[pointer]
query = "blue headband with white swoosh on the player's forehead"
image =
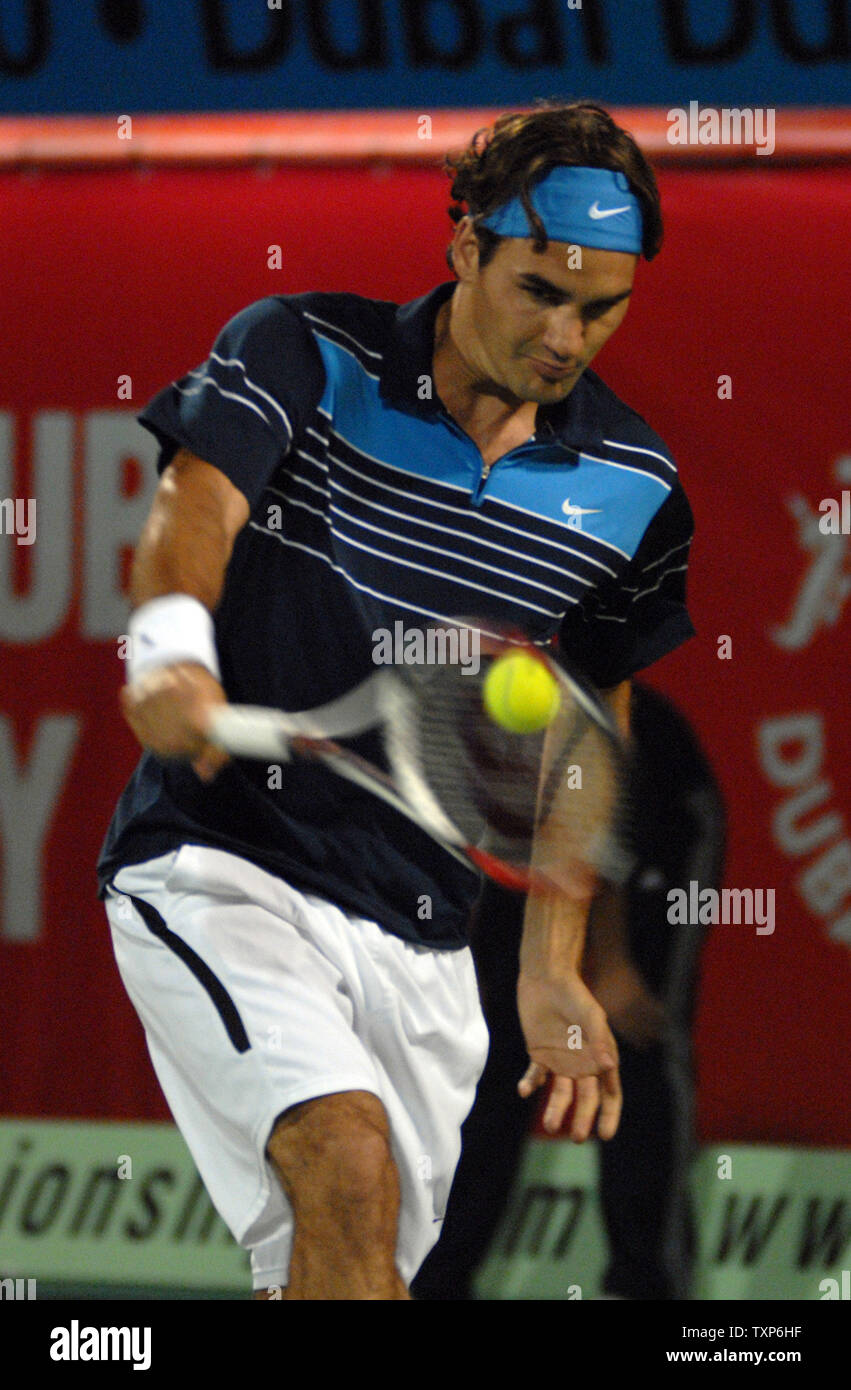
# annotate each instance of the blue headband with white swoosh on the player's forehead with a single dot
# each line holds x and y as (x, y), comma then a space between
(583, 206)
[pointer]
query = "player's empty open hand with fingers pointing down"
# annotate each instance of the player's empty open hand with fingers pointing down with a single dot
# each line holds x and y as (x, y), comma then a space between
(568, 1038)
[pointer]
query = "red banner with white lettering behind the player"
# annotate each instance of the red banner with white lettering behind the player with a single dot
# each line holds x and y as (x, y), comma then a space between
(116, 281)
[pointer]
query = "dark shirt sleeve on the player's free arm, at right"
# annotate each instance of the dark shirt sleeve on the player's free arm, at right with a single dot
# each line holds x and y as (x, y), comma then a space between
(632, 623)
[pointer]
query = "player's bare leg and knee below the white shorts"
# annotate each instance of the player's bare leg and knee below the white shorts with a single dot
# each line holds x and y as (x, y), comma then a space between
(334, 1160)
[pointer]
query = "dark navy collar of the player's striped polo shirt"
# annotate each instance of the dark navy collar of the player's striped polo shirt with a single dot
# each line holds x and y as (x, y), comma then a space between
(574, 423)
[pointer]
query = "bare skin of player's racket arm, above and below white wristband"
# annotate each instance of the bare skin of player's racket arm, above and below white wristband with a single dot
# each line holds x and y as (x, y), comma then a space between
(186, 548)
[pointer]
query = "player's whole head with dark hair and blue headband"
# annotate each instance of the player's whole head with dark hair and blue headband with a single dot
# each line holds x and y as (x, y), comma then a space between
(535, 309)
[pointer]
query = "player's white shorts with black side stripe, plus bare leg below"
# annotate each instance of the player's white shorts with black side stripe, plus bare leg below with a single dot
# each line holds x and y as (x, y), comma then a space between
(291, 1042)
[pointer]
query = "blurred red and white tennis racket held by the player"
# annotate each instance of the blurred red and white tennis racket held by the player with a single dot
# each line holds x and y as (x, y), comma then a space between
(536, 811)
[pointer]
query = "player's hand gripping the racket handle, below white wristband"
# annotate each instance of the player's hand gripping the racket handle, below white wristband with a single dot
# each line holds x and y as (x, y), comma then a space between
(169, 711)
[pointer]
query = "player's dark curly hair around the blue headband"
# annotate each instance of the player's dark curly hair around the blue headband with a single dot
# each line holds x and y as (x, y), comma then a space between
(510, 158)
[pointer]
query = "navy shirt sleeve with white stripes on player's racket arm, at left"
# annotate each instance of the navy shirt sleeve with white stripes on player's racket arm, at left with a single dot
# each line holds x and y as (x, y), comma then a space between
(244, 407)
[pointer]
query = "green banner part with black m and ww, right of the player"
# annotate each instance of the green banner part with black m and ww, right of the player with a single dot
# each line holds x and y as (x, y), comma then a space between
(772, 1224)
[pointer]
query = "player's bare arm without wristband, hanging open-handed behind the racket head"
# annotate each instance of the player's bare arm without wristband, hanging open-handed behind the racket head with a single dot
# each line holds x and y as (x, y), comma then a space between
(565, 1028)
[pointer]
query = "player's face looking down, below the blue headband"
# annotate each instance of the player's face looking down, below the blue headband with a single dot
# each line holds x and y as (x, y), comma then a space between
(535, 320)
